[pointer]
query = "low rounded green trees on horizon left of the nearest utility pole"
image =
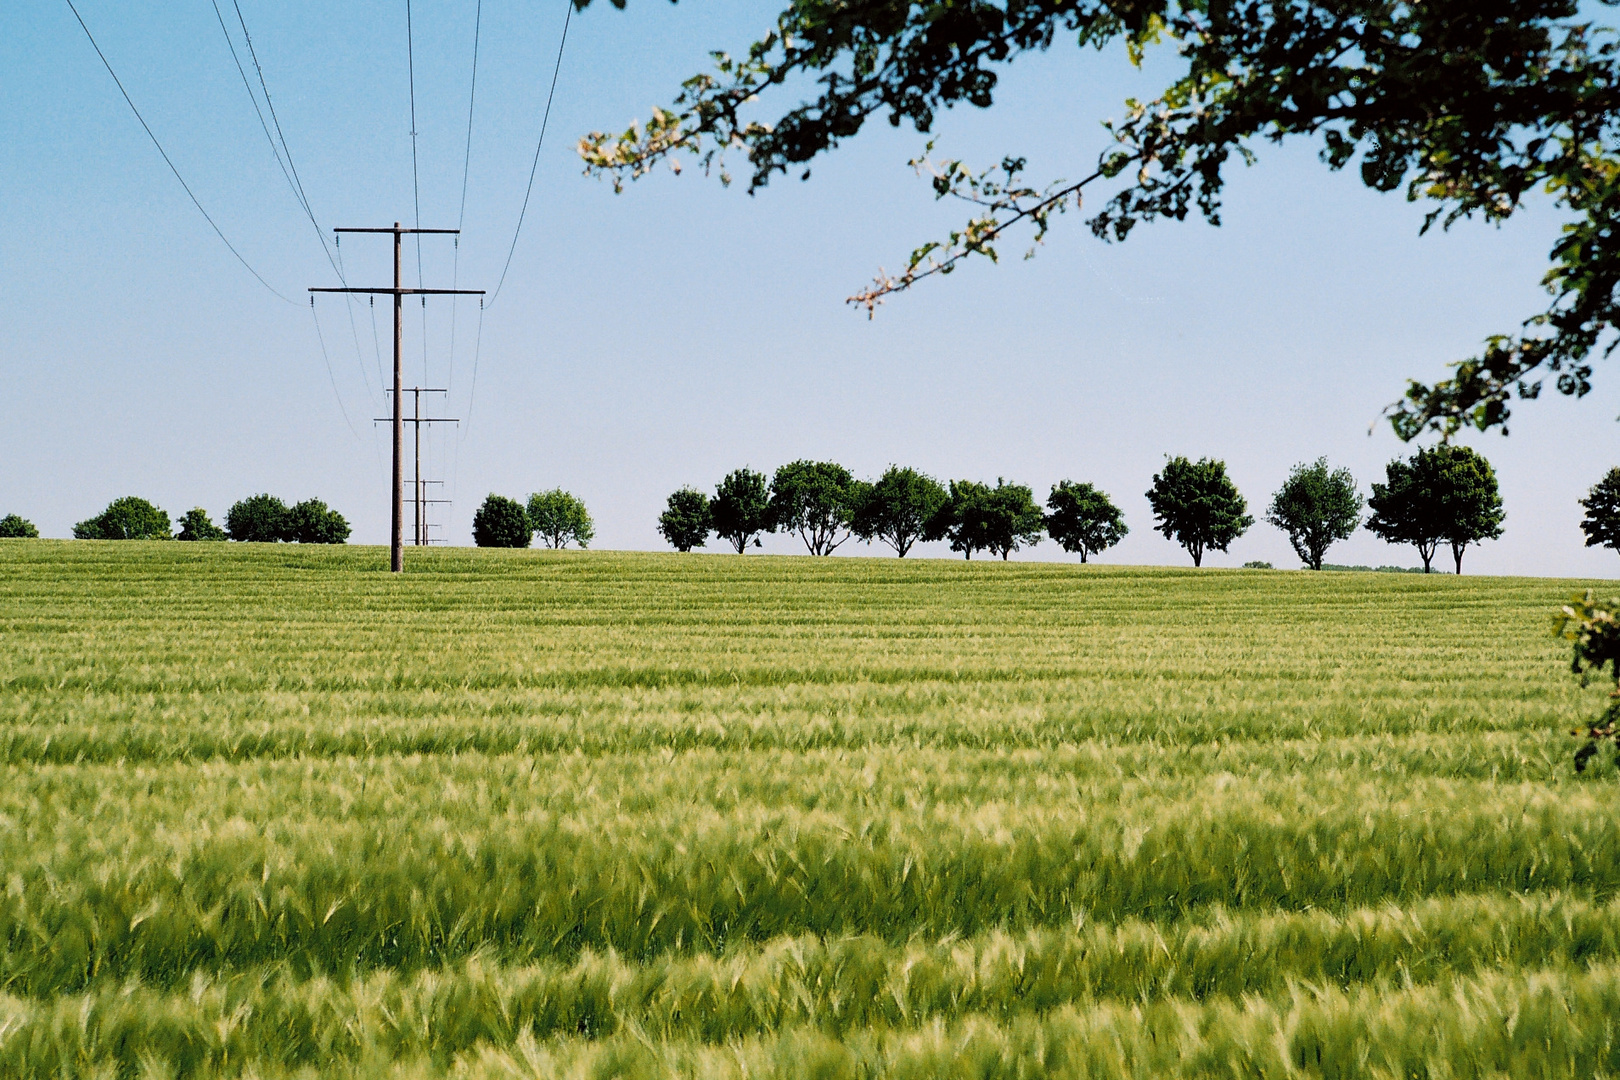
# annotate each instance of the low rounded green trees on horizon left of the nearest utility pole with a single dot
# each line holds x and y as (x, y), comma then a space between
(257, 519)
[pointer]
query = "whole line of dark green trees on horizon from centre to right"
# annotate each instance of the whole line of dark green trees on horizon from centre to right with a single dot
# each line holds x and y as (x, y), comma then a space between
(1443, 496)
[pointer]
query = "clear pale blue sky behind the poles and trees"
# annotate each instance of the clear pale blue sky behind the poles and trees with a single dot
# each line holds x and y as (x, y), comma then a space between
(678, 331)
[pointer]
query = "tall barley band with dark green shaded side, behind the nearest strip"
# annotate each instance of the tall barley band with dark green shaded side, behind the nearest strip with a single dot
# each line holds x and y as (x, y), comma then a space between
(87, 903)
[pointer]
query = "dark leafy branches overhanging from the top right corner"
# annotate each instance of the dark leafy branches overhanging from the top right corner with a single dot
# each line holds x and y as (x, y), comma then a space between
(1460, 104)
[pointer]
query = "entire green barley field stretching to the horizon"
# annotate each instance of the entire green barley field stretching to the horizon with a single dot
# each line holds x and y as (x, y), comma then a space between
(271, 812)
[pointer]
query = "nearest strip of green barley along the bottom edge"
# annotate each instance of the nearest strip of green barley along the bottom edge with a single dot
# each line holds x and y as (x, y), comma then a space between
(605, 1019)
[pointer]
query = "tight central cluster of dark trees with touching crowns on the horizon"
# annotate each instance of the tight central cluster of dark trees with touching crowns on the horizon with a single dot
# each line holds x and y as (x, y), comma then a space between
(825, 506)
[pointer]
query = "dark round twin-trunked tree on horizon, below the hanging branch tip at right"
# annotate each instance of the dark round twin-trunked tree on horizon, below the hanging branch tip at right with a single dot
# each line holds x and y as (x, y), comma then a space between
(1444, 495)
